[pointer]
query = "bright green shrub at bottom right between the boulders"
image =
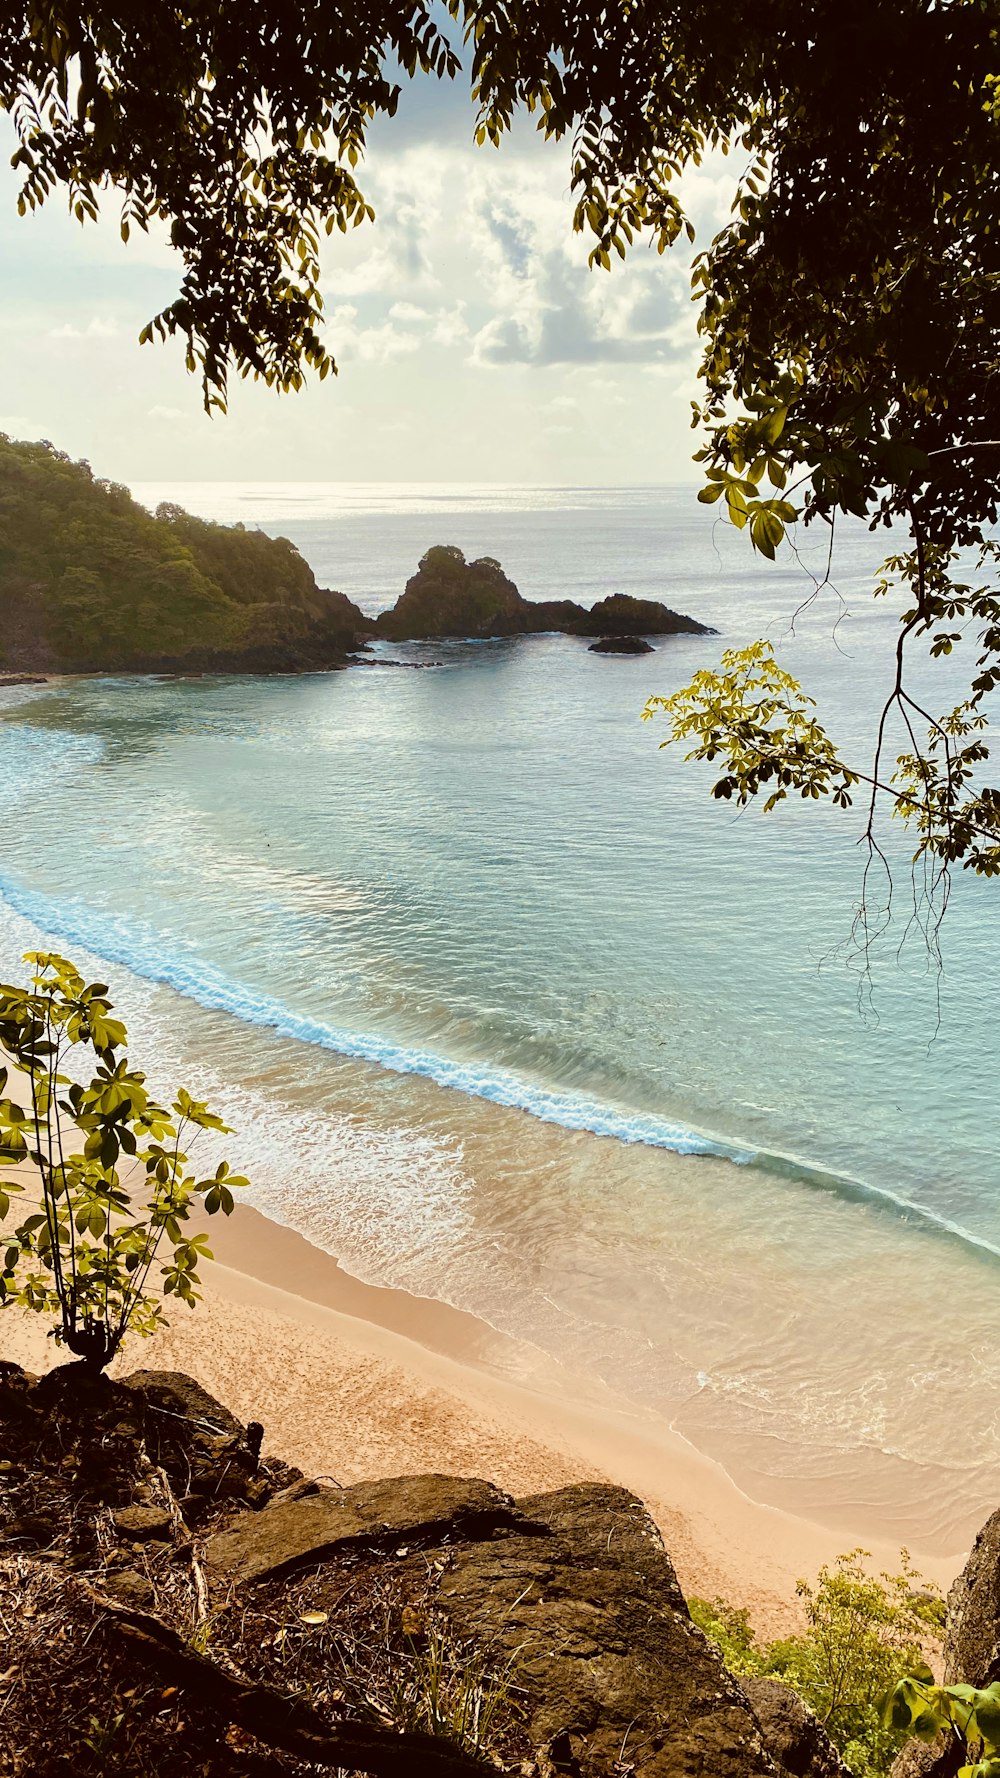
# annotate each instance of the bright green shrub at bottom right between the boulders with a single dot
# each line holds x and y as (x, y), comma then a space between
(864, 1635)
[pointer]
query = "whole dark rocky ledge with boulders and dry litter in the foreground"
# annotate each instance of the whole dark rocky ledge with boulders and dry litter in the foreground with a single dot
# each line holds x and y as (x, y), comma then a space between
(234, 1615)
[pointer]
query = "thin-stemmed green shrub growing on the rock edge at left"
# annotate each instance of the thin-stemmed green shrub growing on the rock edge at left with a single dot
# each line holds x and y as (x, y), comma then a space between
(108, 1174)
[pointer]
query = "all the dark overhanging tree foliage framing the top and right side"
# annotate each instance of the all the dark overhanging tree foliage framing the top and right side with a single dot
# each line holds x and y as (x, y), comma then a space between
(850, 312)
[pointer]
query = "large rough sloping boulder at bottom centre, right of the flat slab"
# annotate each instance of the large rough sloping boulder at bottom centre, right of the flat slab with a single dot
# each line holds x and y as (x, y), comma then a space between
(615, 1674)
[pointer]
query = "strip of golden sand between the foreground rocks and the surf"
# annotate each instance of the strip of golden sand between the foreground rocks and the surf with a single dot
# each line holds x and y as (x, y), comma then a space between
(355, 1382)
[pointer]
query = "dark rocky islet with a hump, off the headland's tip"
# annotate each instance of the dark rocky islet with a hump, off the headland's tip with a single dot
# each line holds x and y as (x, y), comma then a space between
(474, 600)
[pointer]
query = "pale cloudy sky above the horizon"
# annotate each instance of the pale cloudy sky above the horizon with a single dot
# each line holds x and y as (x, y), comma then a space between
(472, 340)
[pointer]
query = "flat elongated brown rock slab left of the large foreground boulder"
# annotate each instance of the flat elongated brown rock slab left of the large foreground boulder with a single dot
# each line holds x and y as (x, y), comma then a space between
(310, 1525)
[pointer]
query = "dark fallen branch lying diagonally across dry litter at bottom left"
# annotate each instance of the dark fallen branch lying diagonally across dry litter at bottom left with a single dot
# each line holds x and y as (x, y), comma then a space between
(278, 1720)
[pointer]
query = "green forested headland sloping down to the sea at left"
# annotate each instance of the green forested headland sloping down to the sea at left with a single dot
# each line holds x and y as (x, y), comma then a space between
(92, 581)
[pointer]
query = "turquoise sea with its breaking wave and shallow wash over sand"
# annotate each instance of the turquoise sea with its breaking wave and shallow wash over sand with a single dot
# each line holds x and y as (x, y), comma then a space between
(520, 1018)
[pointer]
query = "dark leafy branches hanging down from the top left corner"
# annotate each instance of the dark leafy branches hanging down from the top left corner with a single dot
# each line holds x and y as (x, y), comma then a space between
(238, 125)
